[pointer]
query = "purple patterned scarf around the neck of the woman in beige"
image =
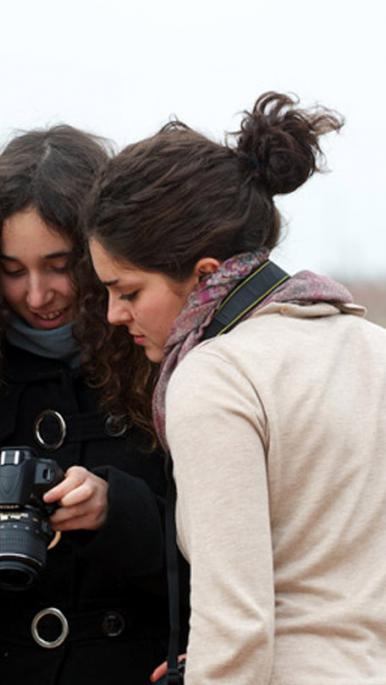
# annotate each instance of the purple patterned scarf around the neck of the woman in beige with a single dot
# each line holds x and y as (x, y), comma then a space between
(303, 288)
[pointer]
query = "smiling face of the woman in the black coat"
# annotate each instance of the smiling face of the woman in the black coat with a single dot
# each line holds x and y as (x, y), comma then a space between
(34, 276)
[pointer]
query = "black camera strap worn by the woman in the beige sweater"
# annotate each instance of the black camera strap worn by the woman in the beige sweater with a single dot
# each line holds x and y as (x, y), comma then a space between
(252, 291)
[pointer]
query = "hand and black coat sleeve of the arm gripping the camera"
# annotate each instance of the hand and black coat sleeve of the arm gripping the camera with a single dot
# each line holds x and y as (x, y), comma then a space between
(108, 510)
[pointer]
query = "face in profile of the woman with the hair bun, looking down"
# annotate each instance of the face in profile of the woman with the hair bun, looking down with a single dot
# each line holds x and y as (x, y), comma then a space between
(146, 302)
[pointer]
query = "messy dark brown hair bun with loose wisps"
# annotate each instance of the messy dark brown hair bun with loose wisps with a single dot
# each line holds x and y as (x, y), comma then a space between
(278, 143)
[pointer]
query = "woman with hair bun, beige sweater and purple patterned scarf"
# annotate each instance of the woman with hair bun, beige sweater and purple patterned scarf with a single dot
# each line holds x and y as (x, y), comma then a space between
(273, 414)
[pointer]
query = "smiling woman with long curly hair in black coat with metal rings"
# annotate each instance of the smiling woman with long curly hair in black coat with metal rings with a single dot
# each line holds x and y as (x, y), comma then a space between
(98, 608)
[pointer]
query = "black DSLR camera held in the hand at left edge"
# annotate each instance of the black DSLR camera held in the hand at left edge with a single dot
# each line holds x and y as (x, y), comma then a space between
(25, 531)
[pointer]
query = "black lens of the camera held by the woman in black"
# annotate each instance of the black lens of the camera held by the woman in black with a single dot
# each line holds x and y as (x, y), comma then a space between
(23, 547)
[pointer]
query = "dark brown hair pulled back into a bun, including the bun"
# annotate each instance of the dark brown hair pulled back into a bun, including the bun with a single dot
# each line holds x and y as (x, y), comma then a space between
(167, 201)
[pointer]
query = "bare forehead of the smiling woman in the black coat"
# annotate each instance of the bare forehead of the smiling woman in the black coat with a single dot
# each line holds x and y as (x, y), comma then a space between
(25, 234)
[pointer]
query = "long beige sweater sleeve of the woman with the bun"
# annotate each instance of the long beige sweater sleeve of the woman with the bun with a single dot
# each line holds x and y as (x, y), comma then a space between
(217, 433)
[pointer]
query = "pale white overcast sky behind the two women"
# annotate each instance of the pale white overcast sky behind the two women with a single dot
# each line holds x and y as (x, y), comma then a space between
(120, 68)
